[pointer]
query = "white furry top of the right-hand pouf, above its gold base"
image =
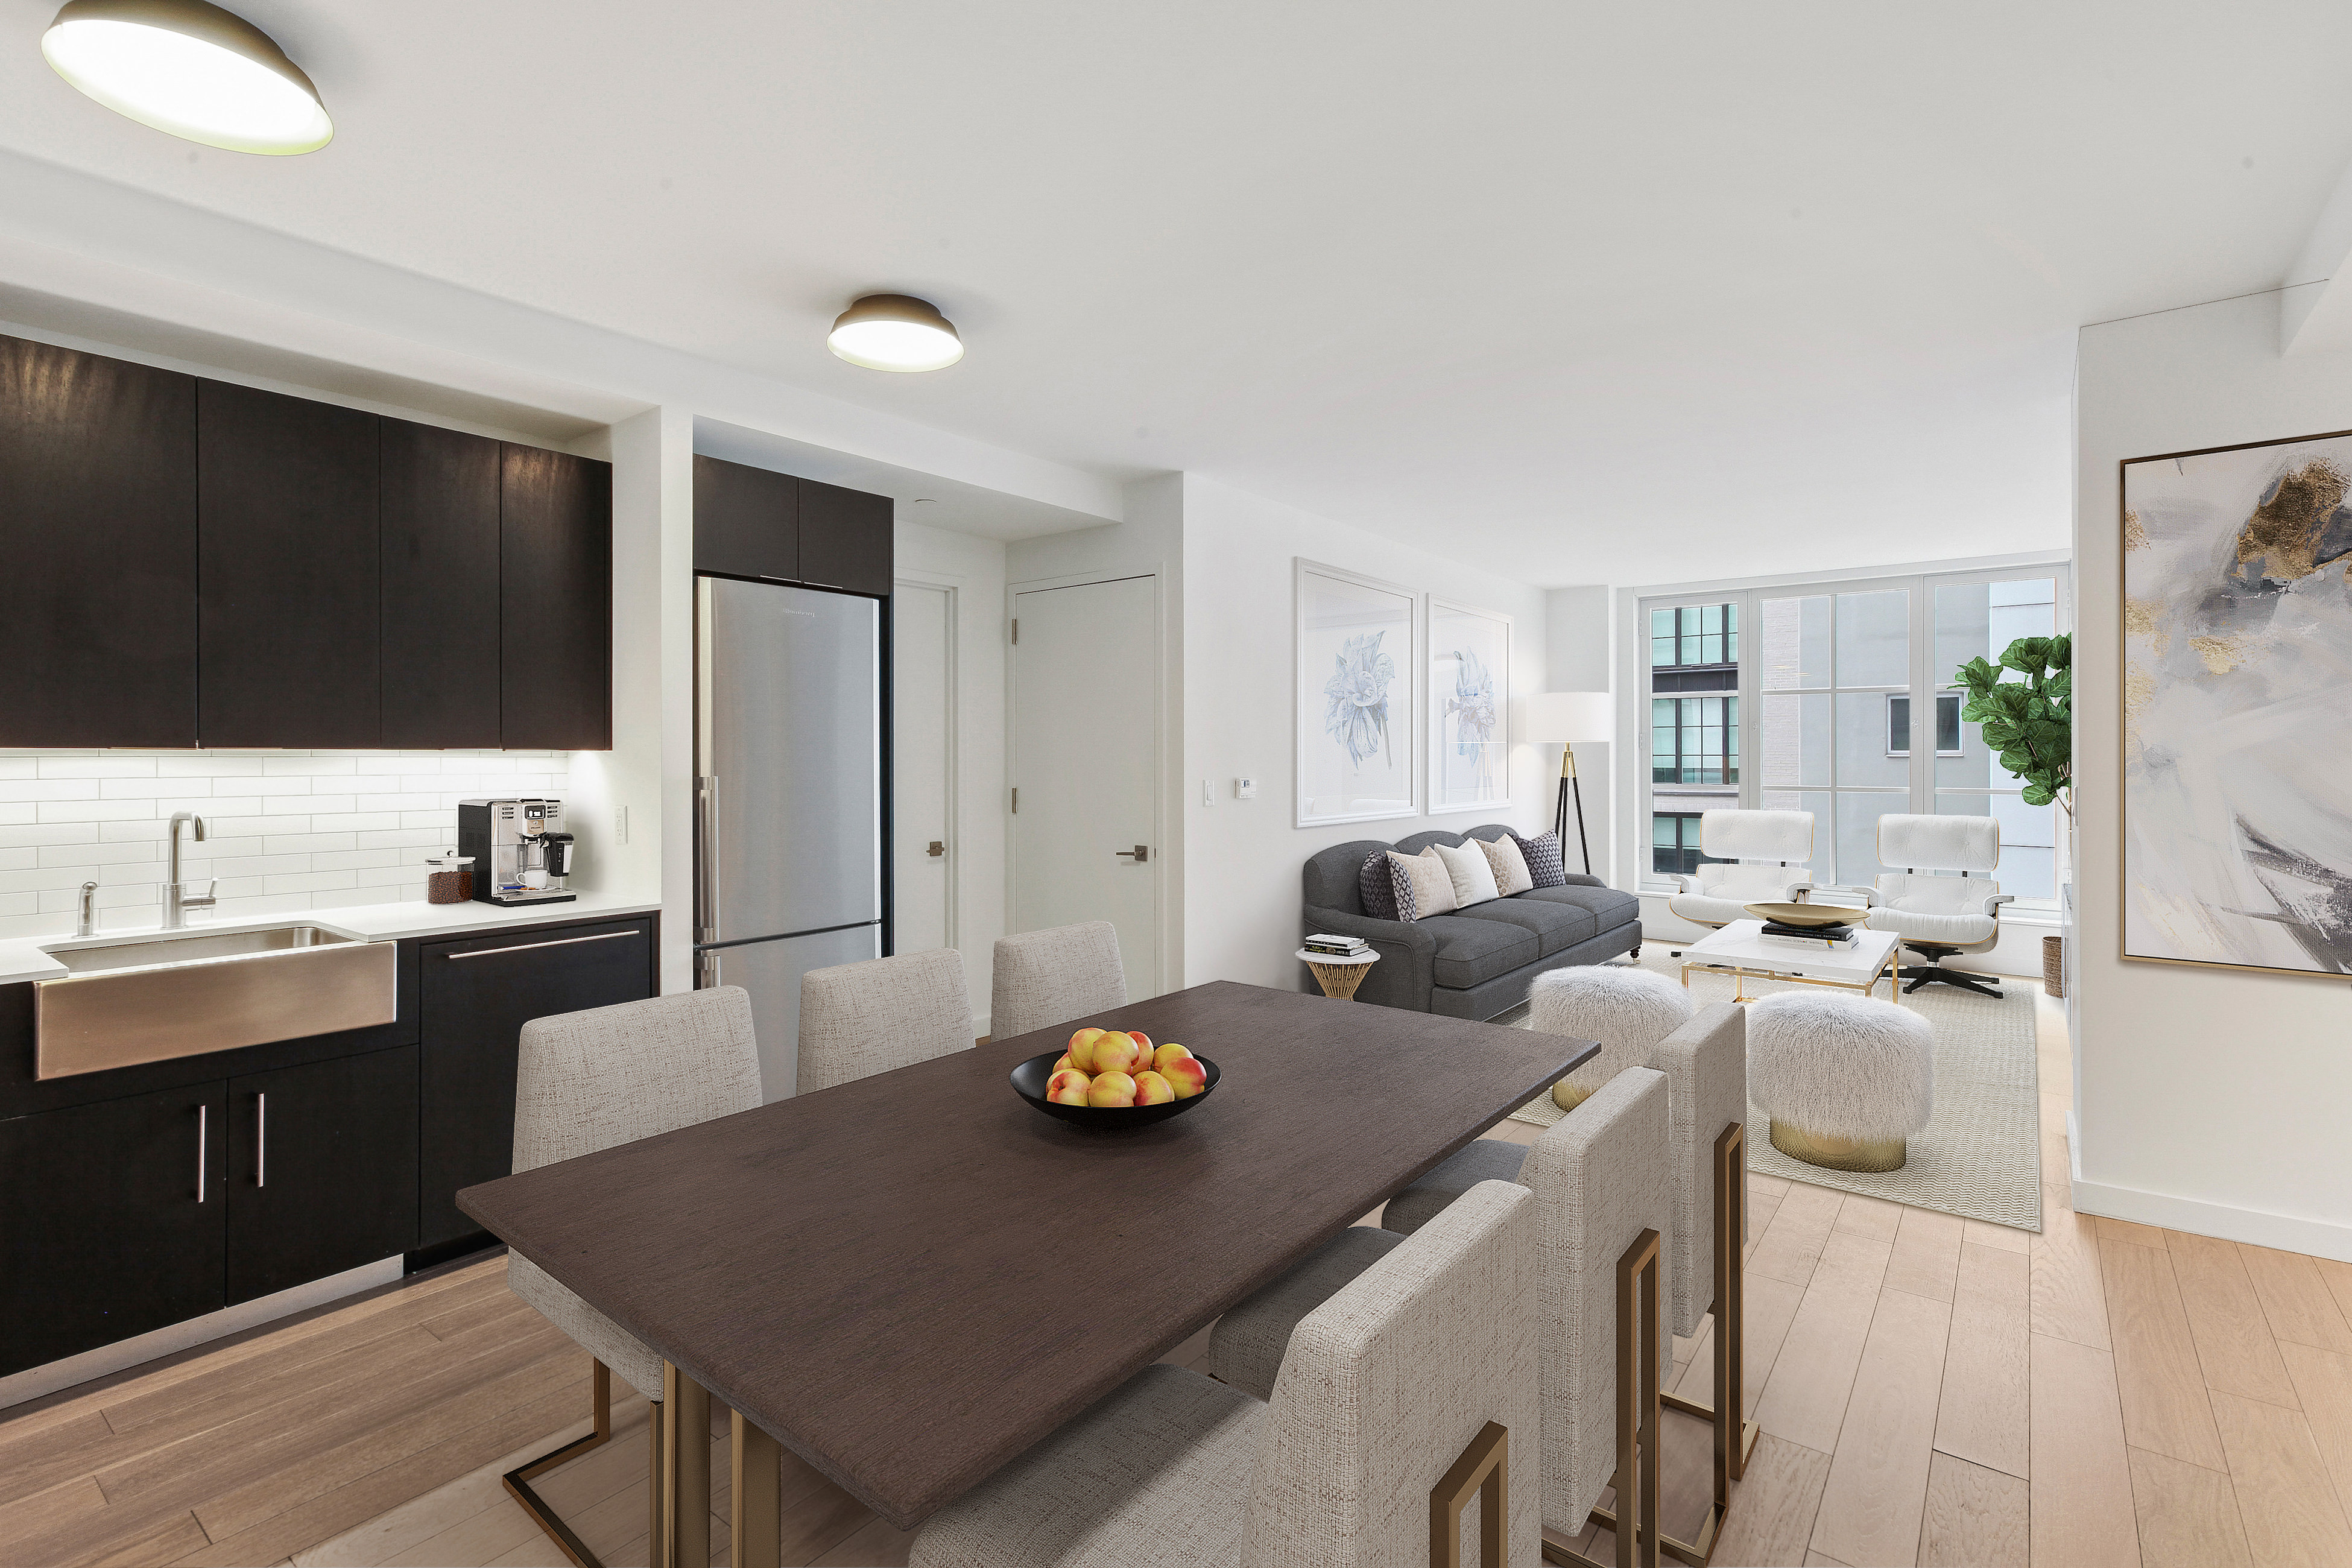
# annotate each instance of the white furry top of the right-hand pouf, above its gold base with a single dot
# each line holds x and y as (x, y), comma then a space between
(1843, 1066)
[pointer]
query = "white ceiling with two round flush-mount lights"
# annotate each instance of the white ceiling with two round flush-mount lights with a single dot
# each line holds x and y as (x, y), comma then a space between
(1615, 293)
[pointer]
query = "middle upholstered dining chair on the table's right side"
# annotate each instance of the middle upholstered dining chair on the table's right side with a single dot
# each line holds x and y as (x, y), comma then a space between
(1603, 1200)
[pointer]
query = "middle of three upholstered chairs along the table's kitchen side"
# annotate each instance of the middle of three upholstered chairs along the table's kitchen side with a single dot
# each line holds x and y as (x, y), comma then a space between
(864, 1019)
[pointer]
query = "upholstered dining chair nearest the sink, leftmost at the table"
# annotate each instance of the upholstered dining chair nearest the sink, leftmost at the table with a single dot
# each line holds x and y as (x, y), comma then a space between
(589, 1083)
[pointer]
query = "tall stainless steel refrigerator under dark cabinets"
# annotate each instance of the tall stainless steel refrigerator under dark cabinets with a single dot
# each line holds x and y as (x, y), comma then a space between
(789, 798)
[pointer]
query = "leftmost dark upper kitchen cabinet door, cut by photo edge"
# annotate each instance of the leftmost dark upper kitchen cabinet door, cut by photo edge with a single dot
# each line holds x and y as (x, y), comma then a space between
(98, 507)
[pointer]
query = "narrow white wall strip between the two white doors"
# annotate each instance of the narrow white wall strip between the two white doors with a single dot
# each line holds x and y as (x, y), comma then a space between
(975, 570)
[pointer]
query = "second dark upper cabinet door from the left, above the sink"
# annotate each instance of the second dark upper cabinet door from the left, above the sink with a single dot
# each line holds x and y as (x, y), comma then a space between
(288, 549)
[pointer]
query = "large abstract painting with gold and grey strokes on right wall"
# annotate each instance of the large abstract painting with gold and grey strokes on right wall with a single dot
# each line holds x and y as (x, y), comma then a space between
(2238, 678)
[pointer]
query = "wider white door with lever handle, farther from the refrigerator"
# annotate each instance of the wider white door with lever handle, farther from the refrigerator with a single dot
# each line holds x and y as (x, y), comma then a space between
(1088, 765)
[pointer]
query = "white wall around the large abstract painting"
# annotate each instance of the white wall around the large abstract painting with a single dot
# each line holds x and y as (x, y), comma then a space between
(2207, 1099)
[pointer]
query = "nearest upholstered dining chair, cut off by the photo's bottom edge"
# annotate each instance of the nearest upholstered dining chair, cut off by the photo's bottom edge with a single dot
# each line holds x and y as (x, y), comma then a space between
(1401, 1393)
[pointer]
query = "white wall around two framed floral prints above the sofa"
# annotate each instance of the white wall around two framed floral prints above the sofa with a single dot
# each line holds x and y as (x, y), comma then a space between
(1245, 857)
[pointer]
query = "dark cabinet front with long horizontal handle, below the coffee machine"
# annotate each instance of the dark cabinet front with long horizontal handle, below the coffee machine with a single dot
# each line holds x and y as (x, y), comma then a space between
(479, 993)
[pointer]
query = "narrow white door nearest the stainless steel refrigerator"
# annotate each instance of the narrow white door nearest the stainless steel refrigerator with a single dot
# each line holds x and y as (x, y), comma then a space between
(923, 765)
